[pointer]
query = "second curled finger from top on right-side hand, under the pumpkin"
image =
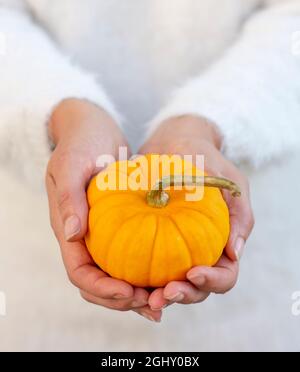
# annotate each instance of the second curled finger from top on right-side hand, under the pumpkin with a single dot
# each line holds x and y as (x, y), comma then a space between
(184, 293)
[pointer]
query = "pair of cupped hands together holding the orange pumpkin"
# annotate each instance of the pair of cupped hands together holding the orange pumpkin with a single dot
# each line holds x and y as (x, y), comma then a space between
(82, 132)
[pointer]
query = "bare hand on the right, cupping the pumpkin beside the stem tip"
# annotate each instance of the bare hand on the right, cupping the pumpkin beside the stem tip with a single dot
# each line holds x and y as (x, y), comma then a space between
(189, 135)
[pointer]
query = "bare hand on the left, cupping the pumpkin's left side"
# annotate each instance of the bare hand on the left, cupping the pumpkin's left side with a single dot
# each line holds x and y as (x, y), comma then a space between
(81, 133)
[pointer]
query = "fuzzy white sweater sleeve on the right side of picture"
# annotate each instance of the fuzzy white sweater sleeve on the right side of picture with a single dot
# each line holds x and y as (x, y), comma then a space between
(248, 92)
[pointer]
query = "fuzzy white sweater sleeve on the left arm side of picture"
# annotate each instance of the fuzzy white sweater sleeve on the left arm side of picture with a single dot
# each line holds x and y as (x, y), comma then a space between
(35, 77)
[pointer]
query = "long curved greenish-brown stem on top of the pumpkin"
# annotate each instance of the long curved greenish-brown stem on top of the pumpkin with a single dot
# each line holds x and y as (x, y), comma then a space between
(159, 198)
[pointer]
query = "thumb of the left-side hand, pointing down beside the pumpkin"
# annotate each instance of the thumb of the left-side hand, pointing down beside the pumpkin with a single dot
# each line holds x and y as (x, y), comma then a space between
(70, 177)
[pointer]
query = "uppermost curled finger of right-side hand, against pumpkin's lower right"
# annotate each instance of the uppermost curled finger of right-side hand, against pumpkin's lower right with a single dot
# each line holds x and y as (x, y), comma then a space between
(219, 279)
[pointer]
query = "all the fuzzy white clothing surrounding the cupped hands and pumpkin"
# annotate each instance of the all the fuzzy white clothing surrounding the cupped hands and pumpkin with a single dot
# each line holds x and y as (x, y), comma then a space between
(140, 51)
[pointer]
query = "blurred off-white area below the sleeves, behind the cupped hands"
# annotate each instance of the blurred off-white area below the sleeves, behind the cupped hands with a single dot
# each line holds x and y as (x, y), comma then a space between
(45, 313)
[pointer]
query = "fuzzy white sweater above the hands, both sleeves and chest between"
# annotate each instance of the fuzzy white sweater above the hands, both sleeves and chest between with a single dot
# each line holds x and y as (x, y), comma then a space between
(234, 62)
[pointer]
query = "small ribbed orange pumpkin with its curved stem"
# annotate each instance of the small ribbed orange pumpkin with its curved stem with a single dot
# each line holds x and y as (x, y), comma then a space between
(151, 235)
